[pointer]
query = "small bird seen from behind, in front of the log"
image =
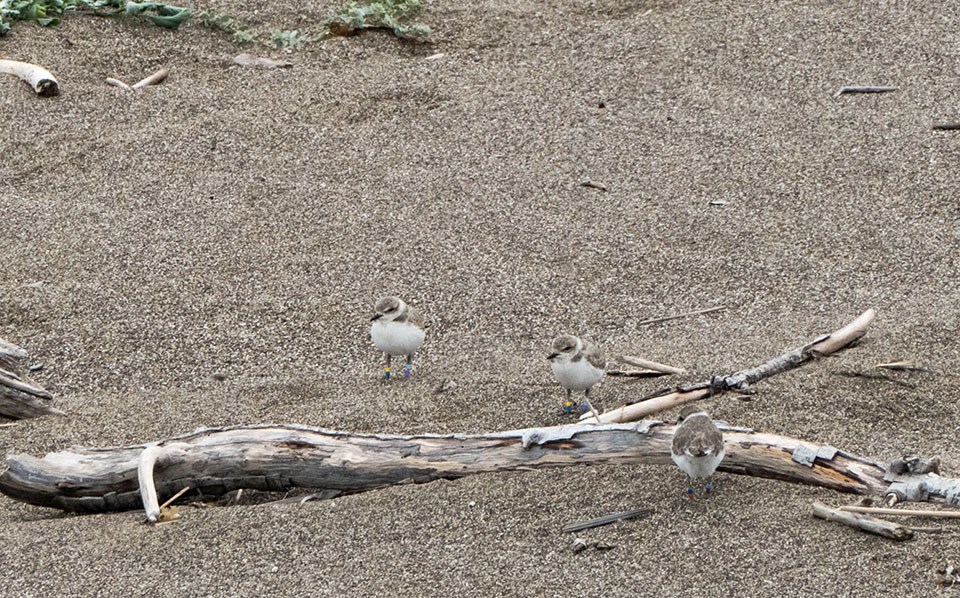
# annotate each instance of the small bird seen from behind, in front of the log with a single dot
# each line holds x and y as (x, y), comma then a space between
(697, 446)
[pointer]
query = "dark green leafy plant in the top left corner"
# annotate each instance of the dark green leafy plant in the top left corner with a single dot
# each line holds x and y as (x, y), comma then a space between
(49, 12)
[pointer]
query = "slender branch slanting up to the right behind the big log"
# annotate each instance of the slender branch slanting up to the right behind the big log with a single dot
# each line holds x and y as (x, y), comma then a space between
(740, 381)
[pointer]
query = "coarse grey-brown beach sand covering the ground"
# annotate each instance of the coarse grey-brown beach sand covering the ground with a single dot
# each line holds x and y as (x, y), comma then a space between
(240, 223)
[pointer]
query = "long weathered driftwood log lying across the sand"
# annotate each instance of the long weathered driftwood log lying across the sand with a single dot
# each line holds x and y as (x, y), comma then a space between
(279, 458)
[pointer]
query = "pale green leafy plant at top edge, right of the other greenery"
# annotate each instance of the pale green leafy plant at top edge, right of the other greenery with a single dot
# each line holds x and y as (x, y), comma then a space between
(394, 15)
